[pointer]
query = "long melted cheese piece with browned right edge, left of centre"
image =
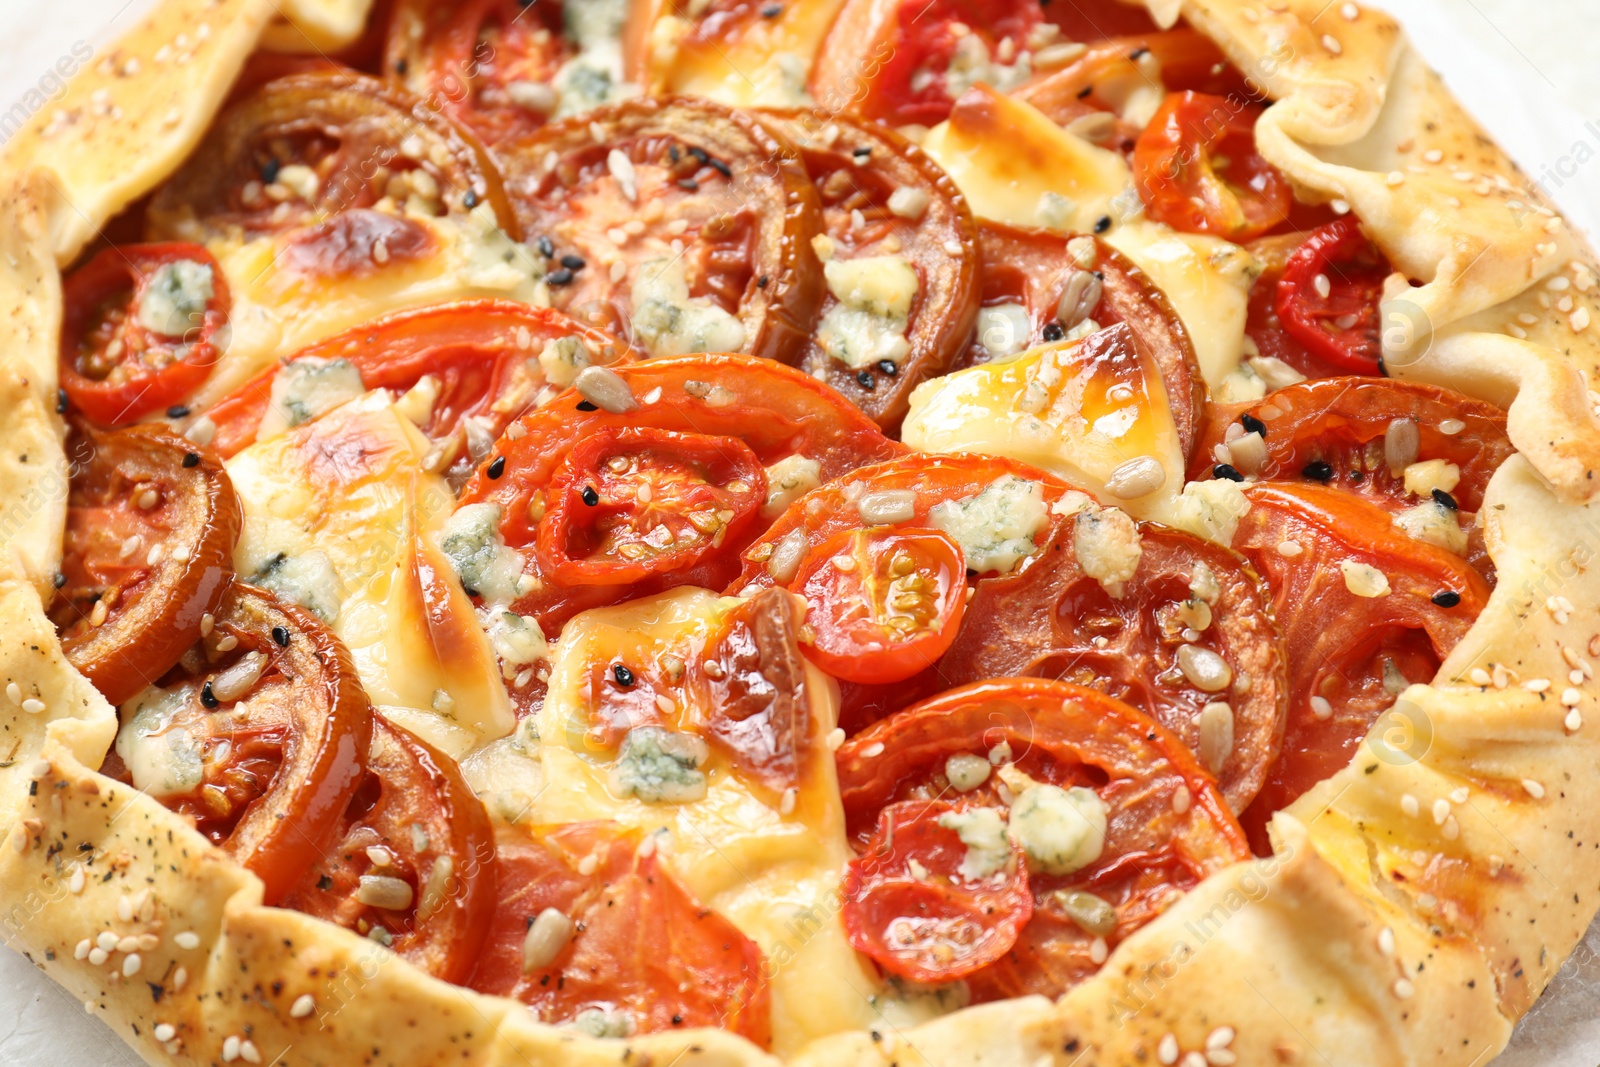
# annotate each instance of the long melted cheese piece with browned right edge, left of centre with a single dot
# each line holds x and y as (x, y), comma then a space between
(342, 514)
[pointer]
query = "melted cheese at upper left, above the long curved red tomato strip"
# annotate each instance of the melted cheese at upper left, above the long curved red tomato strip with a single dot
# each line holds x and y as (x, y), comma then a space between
(279, 311)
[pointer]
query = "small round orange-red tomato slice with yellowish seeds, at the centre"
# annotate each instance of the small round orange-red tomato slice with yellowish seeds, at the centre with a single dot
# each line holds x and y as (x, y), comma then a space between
(884, 602)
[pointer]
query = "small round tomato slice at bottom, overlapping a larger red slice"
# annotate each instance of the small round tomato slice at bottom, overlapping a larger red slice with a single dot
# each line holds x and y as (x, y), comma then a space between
(916, 905)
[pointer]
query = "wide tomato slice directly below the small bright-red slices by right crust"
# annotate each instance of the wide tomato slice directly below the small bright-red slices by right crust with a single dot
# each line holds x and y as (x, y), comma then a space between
(1362, 434)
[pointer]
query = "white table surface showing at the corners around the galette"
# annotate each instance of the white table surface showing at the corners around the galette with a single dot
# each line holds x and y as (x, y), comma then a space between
(1529, 70)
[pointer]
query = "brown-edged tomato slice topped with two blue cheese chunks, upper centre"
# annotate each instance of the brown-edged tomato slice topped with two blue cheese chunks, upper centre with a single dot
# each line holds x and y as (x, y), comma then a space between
(900, 306)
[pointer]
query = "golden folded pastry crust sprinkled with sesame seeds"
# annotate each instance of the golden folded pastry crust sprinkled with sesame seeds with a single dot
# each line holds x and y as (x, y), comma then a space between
(1420, 900)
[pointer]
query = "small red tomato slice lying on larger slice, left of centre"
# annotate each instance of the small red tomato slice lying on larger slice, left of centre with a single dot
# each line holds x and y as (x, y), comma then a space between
(628, 505)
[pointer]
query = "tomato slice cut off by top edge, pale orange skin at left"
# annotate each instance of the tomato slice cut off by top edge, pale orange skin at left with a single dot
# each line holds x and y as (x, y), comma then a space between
(906, 62)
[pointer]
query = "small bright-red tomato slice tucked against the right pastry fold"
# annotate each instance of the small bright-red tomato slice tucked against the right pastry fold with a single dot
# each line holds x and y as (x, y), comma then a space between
(1329, 298)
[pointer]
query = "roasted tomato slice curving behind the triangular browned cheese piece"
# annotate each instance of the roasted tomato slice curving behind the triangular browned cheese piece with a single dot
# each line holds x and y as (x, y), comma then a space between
(1039, 286)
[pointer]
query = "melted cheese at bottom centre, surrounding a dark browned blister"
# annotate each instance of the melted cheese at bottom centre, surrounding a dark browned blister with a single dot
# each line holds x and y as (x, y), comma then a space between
(774, 876)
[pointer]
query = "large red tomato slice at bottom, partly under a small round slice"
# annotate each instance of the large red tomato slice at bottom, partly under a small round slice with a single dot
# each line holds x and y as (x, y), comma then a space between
(1065, 737)
